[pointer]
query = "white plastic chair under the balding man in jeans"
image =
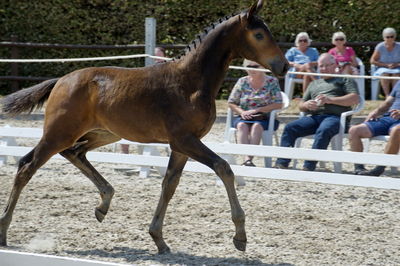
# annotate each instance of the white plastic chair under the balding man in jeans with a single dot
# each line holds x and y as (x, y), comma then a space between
(337, 140)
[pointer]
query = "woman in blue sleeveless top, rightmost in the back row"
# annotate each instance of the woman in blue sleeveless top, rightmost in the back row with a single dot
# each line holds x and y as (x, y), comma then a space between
(386, 57)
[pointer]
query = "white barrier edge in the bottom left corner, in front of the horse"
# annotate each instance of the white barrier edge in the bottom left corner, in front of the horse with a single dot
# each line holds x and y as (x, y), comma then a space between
(15, 258)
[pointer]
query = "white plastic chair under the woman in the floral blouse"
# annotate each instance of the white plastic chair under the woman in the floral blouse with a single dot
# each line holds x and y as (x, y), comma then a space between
(267, 136)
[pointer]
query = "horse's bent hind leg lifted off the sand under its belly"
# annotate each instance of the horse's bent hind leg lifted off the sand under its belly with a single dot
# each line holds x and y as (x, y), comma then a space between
(77, 156)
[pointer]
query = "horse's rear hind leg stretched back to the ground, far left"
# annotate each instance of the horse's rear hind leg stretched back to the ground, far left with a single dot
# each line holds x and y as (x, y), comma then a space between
(26, 169)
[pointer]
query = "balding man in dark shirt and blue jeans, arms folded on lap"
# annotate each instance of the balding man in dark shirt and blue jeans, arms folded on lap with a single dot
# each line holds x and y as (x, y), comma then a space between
(324, 101)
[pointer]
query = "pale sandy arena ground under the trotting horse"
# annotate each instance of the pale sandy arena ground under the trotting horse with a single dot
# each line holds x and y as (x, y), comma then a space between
(288, 223)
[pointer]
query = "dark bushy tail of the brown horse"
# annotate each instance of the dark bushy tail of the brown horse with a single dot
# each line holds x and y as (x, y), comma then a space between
(26, 100)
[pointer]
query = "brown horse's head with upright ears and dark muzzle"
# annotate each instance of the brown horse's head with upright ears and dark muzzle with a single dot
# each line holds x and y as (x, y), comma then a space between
(257, 43)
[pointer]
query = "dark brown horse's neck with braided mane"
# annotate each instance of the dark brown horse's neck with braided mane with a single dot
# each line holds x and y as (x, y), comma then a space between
(210, 61)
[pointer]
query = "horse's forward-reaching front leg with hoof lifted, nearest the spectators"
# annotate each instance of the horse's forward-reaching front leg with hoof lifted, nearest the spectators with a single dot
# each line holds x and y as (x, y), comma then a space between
(195, 149)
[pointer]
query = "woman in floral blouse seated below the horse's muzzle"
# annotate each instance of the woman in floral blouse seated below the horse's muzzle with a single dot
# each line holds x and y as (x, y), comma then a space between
(252, 98)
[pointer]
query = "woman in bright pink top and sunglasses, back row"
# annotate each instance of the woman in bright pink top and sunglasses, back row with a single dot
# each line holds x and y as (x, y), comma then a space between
(344, 55)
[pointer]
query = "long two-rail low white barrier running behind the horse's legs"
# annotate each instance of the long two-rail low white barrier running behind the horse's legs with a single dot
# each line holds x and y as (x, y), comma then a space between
(228, 149)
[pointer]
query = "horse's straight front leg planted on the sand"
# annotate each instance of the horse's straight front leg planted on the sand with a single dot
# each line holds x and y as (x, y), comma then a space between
(171, 180)
